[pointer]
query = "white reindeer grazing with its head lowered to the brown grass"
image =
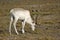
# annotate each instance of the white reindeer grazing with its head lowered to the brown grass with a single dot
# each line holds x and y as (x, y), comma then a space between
(23, 15)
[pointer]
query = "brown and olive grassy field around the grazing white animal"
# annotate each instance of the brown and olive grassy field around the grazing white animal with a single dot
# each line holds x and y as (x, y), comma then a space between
(45, 13)
